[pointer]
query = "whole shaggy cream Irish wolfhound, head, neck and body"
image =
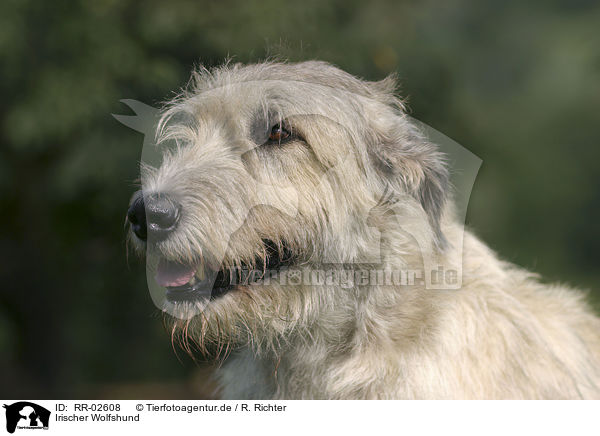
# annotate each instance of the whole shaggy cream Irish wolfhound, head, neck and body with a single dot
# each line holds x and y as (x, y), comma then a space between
(278, 174)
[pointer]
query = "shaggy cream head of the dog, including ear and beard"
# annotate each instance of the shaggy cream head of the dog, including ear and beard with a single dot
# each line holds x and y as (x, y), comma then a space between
(275, 166)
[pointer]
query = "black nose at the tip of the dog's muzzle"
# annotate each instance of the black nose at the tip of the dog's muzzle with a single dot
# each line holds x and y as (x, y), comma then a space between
(154, 216)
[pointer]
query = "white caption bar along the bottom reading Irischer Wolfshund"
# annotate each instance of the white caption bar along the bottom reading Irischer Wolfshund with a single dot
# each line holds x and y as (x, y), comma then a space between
(153, 417)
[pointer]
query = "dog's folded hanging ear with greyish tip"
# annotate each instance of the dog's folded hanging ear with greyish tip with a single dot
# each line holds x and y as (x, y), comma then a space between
(411, 164)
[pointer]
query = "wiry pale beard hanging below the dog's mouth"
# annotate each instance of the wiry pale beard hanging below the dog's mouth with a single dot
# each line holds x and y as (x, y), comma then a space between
(261, 318)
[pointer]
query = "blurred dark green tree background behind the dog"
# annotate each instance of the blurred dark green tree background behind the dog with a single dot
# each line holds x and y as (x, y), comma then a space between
(517, 83)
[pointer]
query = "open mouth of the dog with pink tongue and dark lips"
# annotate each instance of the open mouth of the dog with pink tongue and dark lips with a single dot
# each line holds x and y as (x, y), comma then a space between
(190, 282)
